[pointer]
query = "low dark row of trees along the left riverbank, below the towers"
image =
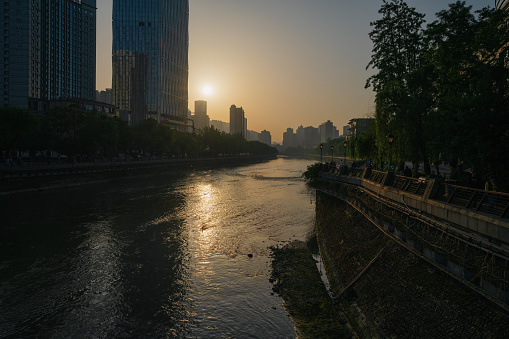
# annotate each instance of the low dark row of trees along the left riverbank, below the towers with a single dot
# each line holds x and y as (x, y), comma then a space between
(87, 135)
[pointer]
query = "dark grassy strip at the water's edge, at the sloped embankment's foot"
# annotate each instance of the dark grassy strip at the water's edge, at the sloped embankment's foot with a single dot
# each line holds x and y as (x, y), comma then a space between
(298, 282)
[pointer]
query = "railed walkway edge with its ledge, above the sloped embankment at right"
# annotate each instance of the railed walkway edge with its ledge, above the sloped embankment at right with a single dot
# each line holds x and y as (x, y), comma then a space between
(462, 231)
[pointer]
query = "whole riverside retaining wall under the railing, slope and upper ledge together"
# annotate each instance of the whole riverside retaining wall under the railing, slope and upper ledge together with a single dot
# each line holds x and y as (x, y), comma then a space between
(397, 272)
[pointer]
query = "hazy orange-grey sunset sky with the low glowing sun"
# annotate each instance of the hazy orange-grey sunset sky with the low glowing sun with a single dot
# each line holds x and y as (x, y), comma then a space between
(286, 62)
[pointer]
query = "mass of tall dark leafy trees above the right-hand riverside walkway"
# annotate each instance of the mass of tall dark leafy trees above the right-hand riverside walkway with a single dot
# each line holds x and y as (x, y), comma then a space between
(442, 89)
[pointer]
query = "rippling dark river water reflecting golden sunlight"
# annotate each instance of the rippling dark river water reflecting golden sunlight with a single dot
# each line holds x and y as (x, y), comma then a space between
(176, 255)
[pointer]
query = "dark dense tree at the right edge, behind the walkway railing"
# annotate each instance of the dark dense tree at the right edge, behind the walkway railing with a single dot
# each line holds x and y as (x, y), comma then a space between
(470, 84)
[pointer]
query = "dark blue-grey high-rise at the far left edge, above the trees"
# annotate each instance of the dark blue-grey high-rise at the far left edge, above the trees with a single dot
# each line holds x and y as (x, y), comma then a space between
(47, 51)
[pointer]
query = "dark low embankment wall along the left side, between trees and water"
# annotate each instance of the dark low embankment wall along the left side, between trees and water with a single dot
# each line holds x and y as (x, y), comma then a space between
(25, 179)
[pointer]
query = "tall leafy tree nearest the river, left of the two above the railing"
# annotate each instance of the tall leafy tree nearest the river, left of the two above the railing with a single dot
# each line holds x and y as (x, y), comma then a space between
(401, 108)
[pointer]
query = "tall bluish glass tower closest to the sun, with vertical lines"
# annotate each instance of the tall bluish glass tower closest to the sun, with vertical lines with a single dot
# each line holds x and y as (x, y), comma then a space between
(150, 60)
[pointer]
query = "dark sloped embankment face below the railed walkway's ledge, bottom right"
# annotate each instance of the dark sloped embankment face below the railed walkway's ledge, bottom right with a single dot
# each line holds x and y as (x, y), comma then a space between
(385, 290)
